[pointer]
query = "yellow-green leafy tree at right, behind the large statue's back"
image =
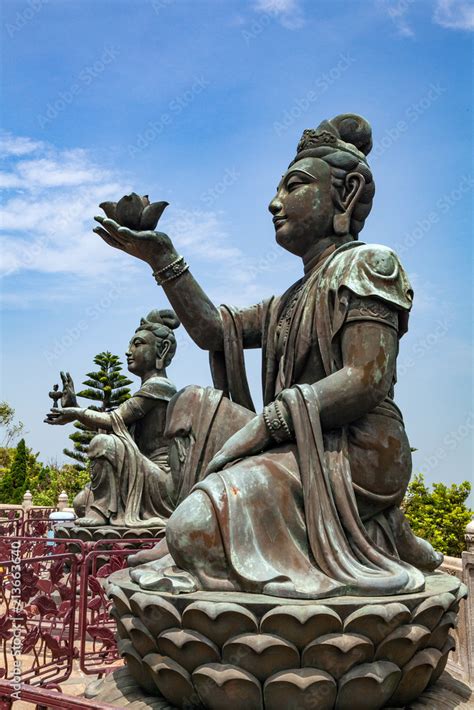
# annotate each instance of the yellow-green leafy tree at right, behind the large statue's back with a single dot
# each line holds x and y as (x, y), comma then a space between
(439, 515)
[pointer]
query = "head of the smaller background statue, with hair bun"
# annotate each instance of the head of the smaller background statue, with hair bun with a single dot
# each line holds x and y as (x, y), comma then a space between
(154, 344)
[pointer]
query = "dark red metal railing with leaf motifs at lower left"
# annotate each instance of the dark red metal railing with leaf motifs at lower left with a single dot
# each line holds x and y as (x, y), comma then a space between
(60, 614)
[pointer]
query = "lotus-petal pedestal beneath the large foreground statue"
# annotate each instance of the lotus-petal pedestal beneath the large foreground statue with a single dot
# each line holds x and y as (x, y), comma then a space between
(230, 651)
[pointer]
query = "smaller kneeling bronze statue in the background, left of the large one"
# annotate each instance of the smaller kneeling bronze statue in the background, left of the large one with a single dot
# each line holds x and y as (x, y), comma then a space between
(131, 482)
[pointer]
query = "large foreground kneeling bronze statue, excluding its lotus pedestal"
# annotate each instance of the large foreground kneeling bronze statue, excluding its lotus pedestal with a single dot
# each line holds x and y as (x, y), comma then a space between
(302, 500)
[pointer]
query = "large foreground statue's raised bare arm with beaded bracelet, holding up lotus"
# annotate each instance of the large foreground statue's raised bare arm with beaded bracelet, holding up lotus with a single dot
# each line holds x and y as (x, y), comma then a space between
(193, 307)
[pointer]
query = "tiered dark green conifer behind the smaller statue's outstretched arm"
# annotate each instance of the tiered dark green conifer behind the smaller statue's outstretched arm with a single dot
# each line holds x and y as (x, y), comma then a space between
(107, 387)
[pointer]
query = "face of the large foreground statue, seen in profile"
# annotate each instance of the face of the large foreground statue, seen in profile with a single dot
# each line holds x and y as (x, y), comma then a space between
(303, 209)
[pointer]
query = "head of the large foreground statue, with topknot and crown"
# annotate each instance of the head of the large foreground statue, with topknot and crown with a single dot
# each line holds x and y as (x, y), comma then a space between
(328, 188)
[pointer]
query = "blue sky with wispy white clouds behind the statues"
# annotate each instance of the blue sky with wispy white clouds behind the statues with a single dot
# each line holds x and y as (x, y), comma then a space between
(202, 103)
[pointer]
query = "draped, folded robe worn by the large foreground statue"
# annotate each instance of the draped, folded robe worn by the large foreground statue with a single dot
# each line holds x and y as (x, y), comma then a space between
(308, 519)
